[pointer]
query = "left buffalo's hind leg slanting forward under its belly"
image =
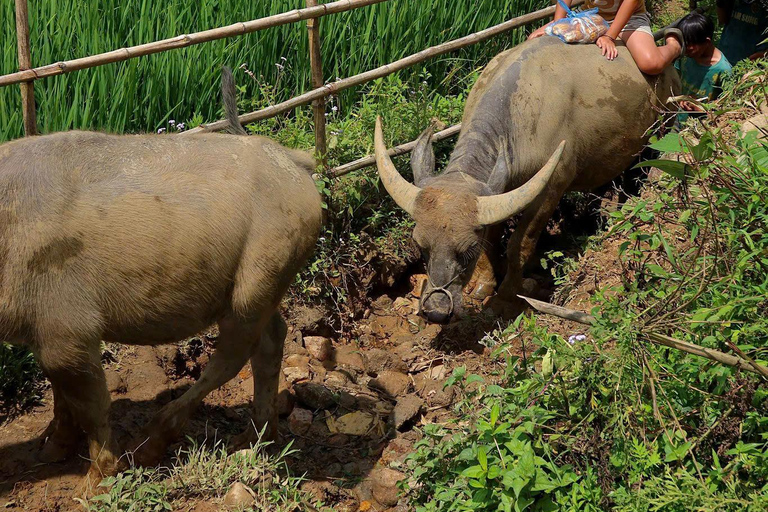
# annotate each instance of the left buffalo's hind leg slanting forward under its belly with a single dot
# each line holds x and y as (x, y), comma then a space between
(237, 338)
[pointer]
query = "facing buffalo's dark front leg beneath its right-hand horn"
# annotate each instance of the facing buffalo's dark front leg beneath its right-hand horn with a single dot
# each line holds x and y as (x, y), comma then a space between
(522, 247)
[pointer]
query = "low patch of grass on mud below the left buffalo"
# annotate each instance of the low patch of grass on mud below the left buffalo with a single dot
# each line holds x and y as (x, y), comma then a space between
(204, 473)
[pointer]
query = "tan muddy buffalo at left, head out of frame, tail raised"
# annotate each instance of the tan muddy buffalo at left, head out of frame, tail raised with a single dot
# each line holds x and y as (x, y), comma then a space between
(148, 239)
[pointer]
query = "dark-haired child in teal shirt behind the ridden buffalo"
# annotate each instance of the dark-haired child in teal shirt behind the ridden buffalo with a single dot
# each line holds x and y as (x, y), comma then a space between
(704, 66)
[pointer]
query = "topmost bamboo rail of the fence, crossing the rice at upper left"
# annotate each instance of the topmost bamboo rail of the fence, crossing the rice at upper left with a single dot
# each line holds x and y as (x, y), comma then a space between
(185, 40)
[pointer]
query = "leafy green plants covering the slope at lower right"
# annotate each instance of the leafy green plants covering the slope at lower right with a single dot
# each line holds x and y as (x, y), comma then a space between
(609, 420)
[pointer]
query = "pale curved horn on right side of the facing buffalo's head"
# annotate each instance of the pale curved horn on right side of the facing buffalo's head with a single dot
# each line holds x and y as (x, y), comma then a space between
(498, 208)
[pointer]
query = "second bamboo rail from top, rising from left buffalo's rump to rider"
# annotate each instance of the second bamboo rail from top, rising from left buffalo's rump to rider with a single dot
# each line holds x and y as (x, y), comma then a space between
(382, 71)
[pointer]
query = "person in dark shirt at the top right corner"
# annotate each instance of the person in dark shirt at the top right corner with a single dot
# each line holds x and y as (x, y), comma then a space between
(744, 25)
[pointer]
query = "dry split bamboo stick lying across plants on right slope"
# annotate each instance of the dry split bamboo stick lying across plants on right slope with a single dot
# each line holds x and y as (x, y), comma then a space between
(659, 339)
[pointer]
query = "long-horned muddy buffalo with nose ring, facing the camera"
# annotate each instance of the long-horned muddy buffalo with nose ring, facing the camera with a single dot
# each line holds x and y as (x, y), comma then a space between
(527, 101)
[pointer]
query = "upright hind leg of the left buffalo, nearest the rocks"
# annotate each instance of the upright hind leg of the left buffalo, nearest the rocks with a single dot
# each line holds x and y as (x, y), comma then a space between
(266, 362)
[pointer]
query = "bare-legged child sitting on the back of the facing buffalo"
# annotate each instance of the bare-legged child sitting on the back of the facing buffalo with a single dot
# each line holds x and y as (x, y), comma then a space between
(629, 21)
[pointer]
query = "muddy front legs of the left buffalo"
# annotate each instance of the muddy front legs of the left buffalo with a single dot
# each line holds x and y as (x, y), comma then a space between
(79, 381)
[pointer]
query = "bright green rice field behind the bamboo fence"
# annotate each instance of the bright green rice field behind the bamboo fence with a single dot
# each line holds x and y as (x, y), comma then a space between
(144, 94)
